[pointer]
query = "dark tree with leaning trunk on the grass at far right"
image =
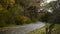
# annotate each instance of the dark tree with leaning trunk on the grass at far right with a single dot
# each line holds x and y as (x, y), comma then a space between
(54, 16)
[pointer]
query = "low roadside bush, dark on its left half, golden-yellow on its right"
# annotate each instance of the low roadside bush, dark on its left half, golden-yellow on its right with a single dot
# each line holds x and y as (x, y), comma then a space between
(22, 20)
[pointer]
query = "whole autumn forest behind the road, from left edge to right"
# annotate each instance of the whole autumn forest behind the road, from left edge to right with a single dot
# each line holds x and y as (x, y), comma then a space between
(18, 12)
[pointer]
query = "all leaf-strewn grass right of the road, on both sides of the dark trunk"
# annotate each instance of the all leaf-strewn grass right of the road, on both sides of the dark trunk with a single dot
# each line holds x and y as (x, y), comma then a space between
(55, 30)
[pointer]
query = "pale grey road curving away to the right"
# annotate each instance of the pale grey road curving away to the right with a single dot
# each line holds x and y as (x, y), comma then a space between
(24, 28)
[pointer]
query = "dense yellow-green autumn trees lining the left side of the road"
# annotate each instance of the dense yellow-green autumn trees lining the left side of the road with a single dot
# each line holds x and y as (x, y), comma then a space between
(17, 12)
